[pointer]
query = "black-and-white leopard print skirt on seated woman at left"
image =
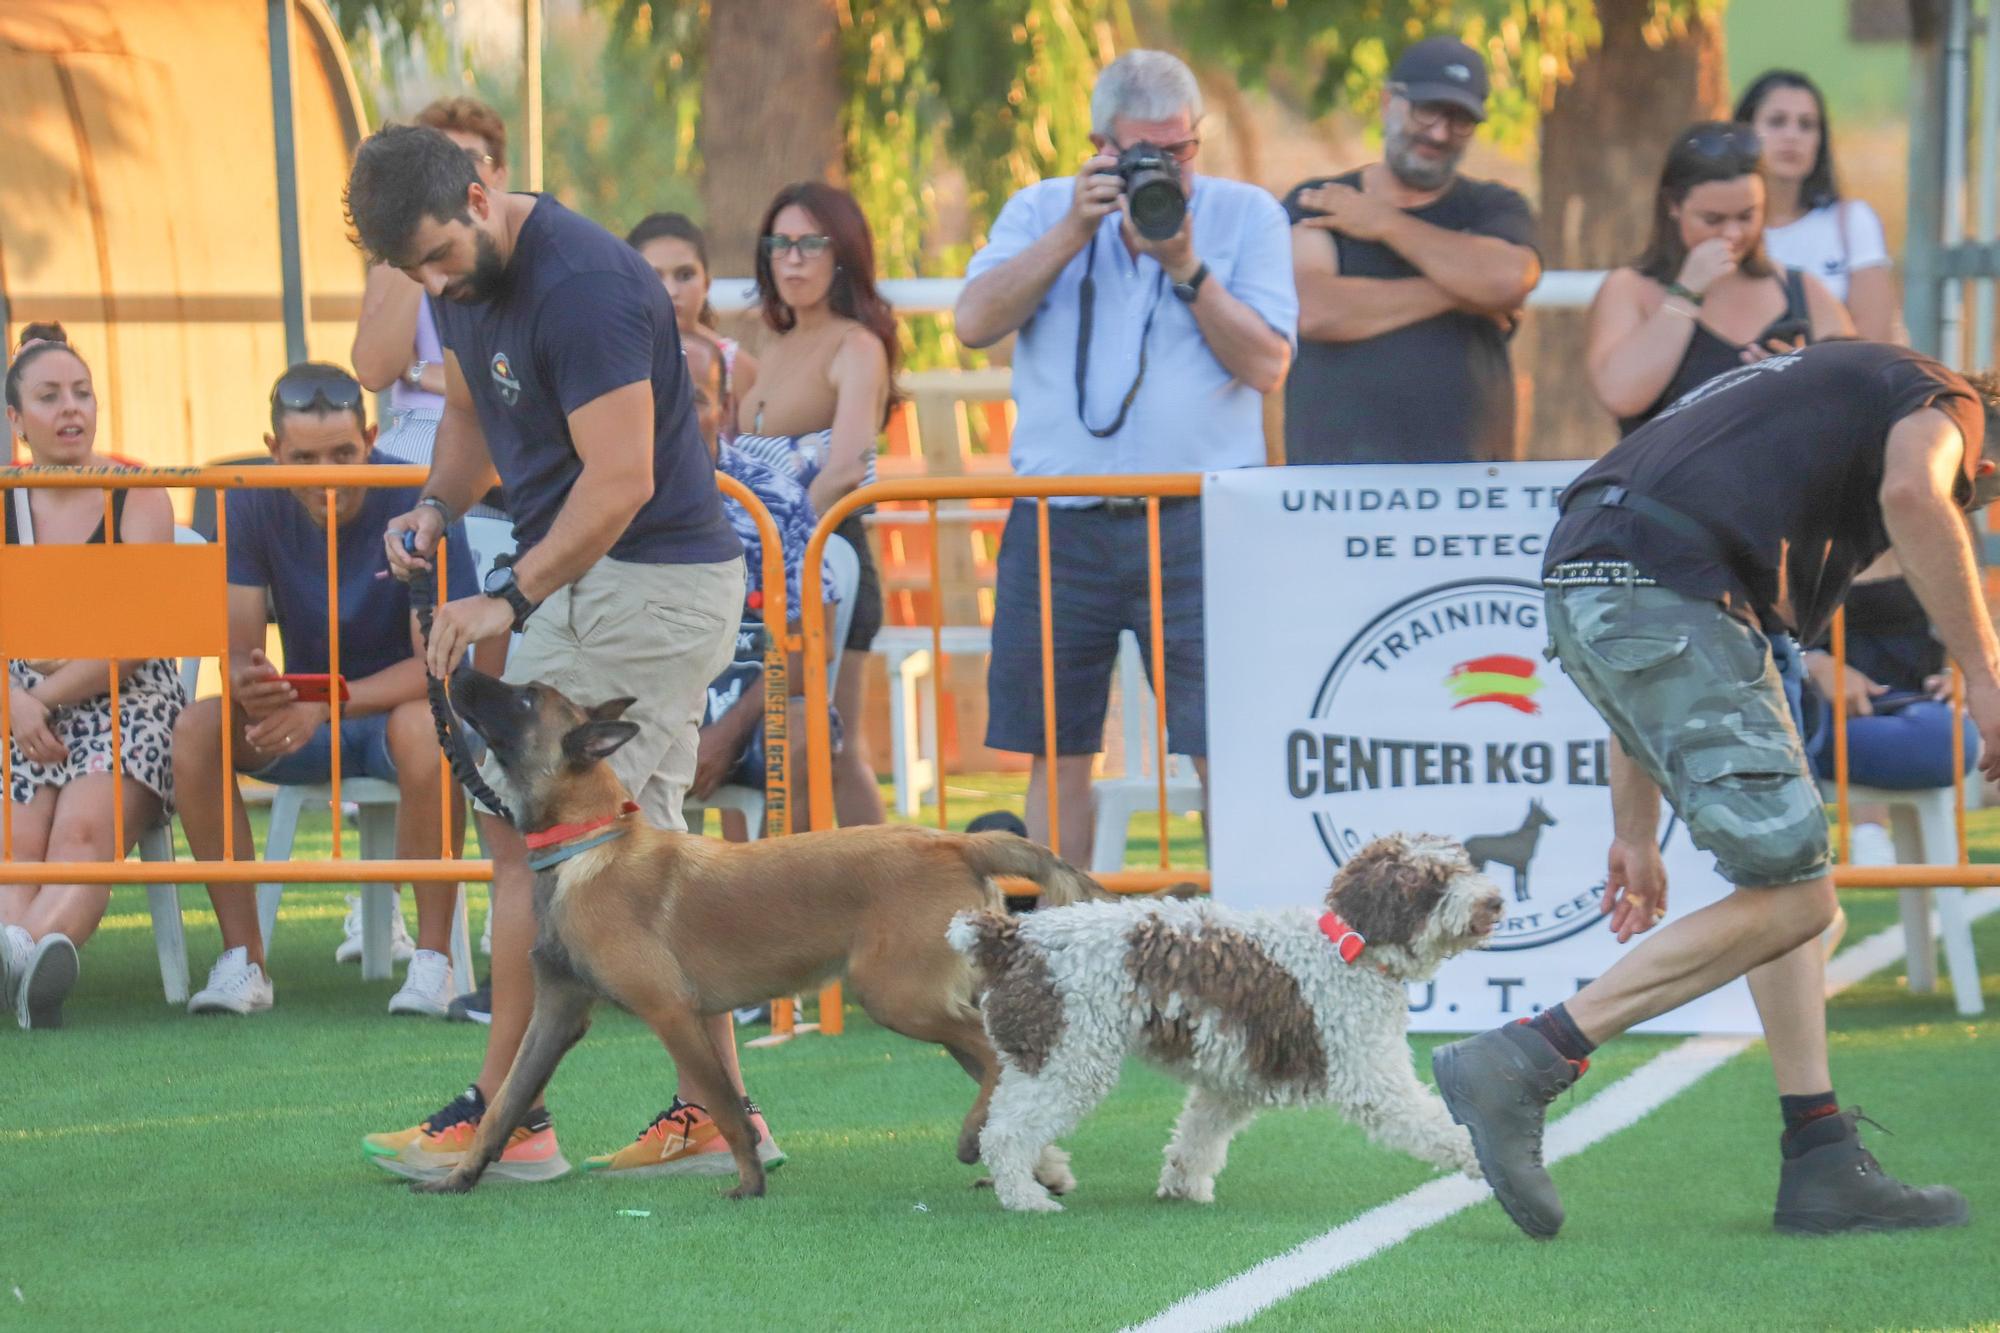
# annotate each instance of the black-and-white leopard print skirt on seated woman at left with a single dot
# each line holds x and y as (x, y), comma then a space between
(149, 704)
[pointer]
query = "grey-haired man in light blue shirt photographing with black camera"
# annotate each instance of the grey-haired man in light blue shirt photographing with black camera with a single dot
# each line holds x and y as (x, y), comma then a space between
(1141, 351)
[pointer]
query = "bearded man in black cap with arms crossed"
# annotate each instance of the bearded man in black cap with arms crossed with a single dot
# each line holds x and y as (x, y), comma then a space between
(1409, 285)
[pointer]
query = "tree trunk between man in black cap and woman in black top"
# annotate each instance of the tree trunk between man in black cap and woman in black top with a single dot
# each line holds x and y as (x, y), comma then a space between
(1603, 147)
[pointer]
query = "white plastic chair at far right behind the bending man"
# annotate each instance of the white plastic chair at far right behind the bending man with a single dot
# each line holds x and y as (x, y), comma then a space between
(1925, 832)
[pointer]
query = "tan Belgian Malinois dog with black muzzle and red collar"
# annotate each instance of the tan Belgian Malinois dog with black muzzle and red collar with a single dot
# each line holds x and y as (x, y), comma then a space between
(675, 928)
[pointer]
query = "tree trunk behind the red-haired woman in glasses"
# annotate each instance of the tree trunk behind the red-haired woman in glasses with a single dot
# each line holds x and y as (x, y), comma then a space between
(771, 115)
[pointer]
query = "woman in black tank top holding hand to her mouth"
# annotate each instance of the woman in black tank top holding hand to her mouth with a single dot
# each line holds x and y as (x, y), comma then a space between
(1703, 297)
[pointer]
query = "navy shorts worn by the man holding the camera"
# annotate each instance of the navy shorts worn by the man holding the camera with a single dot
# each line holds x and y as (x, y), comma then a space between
(1099, 583)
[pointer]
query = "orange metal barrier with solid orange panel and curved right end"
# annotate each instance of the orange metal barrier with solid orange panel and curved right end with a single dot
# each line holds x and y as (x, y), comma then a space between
(155, 599)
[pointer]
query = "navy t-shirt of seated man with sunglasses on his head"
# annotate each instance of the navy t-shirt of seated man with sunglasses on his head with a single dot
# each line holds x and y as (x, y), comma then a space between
(277, 545)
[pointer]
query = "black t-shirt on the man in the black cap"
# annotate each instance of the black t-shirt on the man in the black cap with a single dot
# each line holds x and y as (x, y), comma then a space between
(1437, 391)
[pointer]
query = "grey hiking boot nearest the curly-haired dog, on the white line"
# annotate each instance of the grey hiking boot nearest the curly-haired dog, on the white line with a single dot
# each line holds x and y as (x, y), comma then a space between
(1499, 1088)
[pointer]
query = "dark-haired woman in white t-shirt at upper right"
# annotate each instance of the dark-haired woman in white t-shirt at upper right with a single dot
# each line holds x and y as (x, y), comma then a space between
(1809, 223)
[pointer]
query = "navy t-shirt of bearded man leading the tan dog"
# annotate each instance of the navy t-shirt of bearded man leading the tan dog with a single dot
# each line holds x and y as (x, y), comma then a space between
(579, 317)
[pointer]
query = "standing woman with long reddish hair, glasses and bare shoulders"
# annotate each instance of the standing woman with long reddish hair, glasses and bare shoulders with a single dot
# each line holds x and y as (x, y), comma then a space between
(821, 399)
